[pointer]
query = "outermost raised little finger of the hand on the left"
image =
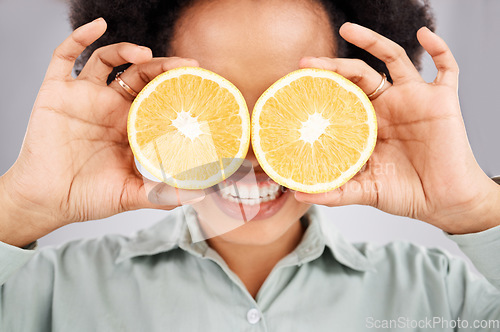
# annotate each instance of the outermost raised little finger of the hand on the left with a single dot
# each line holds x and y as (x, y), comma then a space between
(64, 56)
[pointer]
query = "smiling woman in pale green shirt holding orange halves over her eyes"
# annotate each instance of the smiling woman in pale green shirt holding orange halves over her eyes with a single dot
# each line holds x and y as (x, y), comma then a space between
(289, 270)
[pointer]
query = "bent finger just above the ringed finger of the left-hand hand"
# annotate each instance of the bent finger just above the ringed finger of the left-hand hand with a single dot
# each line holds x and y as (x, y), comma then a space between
(105, 59)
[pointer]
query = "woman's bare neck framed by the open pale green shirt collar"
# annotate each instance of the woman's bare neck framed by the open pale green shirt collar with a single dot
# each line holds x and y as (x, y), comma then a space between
(253, 263)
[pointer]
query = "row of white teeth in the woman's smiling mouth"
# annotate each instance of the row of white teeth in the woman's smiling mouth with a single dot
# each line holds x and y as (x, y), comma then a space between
(249, 194)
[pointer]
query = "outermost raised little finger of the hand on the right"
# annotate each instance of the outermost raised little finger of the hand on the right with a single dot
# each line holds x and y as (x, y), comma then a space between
(441, 55)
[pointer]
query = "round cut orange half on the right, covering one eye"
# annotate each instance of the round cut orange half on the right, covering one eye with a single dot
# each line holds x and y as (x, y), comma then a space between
(313, 130)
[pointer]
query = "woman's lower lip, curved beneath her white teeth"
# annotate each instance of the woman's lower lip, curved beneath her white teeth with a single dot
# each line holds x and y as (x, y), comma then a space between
(237, 210)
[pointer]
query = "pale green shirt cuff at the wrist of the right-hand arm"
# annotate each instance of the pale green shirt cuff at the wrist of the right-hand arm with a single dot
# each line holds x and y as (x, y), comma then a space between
(483, 248)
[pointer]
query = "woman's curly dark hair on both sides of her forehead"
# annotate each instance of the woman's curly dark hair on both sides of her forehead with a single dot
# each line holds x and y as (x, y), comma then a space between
(151, 23)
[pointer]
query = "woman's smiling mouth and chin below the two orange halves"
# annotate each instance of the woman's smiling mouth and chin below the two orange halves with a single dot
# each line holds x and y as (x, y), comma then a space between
(249, 213)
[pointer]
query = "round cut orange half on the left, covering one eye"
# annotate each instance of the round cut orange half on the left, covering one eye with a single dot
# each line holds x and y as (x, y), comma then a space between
(189, 127)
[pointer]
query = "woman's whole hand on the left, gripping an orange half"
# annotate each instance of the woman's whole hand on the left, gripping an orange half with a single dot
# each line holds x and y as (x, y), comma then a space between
(75, 163)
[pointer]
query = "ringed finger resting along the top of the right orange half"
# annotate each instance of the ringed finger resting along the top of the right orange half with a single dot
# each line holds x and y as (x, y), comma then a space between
(355, 70)
